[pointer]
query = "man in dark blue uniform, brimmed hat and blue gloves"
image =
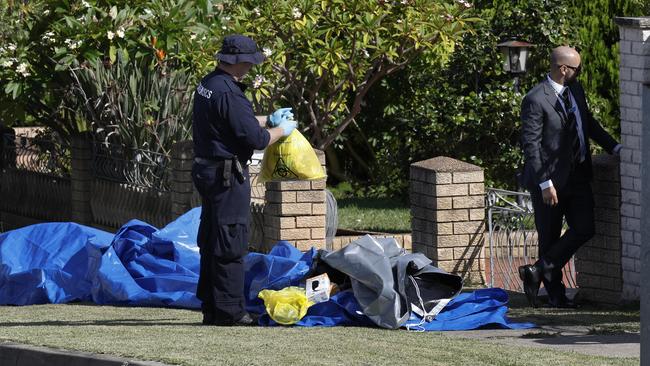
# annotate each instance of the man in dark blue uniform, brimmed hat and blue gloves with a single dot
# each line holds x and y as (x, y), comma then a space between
(225, 133)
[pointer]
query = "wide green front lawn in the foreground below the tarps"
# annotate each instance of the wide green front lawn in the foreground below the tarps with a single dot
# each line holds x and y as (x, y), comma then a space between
(175, 337)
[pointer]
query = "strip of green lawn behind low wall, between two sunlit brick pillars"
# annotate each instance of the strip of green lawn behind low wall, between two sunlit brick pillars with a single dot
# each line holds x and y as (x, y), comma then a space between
(387, 215)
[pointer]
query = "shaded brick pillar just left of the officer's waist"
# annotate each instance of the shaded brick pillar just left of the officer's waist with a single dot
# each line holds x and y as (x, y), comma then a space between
(181, 179)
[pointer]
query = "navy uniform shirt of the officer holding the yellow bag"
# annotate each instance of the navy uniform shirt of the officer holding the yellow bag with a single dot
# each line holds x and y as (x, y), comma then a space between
(223, 122)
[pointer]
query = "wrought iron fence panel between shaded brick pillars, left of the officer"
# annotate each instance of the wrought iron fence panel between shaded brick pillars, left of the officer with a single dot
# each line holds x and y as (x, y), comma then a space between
(136, 167)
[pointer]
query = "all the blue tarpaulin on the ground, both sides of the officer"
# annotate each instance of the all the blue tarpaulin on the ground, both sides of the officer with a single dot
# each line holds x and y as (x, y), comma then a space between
(141, 265)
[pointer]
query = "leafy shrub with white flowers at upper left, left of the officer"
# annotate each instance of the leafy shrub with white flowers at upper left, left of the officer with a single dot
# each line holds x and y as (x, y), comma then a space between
(46, 42)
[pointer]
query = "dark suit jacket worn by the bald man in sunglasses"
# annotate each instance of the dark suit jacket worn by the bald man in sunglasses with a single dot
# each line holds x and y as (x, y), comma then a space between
(544, 138)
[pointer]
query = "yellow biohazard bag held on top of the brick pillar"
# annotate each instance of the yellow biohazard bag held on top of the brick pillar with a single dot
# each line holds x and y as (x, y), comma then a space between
(291, 158)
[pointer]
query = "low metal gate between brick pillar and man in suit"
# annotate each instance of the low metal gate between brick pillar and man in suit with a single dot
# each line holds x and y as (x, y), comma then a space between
(513, 239)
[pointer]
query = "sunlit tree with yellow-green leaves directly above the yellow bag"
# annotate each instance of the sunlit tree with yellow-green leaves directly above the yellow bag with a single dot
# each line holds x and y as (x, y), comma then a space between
(324, 56)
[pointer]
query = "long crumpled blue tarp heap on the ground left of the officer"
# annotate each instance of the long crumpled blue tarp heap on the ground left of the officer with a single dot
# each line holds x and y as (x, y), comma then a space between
(139, 265)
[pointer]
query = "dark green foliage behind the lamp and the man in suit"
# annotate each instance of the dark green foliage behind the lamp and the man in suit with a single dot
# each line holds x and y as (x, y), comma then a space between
(469, 109)
